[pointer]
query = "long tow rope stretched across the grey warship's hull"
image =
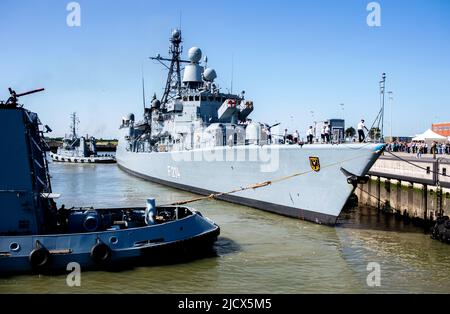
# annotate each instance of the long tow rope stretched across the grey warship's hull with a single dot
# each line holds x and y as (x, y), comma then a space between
(259, 185)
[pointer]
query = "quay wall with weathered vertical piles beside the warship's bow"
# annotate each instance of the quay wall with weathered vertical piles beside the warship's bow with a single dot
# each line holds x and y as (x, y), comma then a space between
(412, 188)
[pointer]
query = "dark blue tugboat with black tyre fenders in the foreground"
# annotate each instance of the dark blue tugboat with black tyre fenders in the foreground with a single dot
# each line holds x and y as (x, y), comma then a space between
(37, 236)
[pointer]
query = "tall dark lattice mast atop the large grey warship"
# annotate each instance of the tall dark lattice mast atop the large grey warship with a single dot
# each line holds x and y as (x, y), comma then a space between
(173, 84)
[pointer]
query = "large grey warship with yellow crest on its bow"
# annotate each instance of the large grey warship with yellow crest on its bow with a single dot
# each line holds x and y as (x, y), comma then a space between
(200, 139)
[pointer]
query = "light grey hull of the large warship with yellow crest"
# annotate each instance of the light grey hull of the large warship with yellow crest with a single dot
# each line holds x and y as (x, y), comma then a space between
(306, 182)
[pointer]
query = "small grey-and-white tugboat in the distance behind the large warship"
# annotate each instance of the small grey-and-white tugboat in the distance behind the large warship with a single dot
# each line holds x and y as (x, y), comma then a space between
(77, 150)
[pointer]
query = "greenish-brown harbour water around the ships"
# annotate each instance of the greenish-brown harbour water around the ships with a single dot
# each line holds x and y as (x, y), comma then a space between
(257, 252)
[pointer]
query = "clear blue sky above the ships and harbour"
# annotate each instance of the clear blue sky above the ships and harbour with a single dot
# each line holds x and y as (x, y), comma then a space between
(297, 60)
